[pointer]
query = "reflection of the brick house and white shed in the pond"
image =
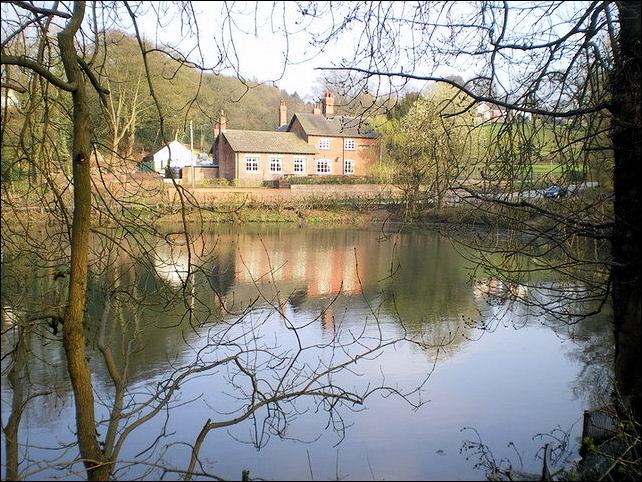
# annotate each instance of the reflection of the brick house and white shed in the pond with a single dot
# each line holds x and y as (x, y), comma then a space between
(284, 271)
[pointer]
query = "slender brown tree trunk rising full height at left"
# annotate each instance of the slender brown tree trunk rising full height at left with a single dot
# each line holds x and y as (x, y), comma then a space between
(74, 338)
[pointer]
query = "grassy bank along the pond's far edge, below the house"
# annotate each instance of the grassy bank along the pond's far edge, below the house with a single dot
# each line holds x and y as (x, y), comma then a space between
(150, 203)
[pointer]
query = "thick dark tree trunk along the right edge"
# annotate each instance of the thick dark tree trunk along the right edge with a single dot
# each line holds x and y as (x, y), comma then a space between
(625, 274)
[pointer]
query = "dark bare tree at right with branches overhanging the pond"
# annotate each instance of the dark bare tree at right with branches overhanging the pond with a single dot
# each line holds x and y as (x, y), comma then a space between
(574, 67)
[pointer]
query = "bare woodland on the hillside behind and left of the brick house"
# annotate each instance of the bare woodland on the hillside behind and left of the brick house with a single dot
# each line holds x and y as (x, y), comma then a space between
(128, 125)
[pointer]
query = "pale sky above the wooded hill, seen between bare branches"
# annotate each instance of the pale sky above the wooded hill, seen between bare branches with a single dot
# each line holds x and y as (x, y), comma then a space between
(255, 40)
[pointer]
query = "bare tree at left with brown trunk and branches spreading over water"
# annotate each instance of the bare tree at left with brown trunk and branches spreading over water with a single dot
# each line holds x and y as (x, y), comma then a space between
(91, 232)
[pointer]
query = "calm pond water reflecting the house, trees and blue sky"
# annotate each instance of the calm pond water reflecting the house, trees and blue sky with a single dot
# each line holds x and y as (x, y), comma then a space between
(459, 372)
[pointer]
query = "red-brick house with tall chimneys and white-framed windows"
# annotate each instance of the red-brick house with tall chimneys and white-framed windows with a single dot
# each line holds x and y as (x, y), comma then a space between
(317, 143)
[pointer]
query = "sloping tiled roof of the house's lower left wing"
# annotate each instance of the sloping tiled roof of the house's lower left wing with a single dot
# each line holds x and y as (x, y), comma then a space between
(267, 141)
